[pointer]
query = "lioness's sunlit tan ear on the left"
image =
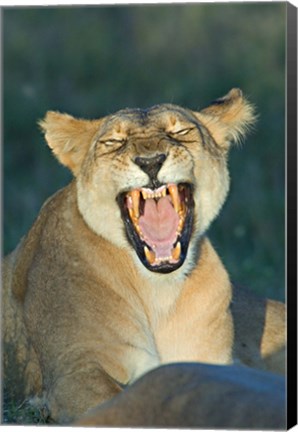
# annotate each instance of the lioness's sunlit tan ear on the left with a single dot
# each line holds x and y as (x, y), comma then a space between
(68, 137)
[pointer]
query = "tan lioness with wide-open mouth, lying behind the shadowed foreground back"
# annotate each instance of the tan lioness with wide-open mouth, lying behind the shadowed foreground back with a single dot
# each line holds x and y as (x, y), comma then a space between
(116, 275)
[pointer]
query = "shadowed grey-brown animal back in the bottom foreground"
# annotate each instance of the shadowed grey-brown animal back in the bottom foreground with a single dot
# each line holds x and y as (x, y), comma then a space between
(200, 396)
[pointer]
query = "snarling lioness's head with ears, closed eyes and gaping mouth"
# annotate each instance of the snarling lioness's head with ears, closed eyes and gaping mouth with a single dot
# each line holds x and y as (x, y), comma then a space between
(151, 179)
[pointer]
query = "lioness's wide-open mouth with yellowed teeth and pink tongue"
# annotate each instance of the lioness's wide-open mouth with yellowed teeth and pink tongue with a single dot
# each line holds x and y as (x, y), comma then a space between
(159, 224)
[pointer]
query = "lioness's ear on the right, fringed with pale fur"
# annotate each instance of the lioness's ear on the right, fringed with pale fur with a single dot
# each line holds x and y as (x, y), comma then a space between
(228, 118)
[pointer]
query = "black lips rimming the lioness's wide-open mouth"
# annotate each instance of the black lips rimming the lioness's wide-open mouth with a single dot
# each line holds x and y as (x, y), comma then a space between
(139, 244)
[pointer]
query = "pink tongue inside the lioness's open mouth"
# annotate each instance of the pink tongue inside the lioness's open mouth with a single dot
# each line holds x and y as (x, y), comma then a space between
(159, 225)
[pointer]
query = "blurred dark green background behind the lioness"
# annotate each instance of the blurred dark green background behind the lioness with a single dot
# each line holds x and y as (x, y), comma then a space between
(91, 61)
